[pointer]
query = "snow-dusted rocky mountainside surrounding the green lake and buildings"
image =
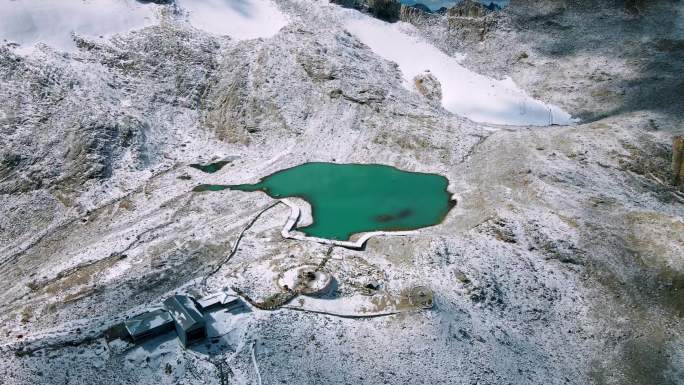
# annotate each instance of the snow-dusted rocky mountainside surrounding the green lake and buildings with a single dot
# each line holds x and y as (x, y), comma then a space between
(561, 263)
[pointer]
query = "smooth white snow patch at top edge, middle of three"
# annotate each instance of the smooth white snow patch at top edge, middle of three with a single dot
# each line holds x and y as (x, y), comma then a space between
(239, 19)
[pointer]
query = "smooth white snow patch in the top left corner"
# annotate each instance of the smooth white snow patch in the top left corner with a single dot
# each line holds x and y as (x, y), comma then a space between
(28, 22)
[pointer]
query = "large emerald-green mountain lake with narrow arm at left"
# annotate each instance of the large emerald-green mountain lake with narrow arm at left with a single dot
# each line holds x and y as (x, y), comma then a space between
(352, 198)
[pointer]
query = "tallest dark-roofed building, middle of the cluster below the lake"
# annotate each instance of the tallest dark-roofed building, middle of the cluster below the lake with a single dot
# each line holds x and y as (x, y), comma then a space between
(188, 319)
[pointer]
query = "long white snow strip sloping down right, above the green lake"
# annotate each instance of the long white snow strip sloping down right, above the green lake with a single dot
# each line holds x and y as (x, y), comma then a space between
(466, 93)
